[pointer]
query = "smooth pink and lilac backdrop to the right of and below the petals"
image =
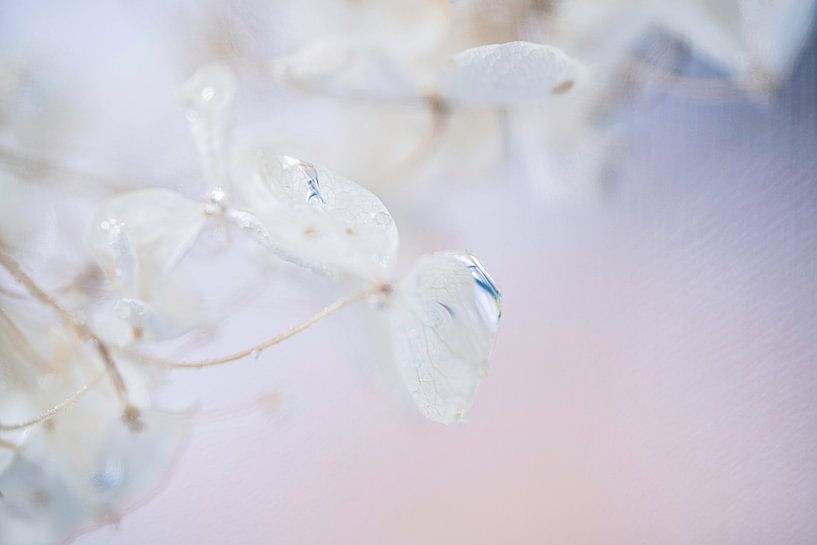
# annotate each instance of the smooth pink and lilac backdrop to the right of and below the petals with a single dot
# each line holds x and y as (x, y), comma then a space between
(655, 377)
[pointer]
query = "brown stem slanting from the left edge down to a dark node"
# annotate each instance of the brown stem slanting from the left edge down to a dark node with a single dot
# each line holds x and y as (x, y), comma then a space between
(79, 327)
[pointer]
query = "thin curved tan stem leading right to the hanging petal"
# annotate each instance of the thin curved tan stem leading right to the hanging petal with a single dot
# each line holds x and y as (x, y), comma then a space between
(257, 349)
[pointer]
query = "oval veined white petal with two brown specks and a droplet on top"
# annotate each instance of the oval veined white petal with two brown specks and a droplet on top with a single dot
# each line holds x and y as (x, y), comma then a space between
(316, 218)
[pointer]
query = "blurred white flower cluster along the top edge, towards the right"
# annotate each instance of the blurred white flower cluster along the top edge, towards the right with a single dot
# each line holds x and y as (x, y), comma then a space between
(397, 59)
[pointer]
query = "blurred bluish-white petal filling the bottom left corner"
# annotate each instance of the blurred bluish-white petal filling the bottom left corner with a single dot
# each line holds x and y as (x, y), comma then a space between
(85, 471)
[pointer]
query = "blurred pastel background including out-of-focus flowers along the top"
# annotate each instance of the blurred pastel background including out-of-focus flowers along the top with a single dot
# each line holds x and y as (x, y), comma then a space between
(653, 232)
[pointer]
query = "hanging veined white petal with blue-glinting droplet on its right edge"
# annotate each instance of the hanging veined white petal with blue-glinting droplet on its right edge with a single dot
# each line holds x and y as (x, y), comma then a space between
(444, 321)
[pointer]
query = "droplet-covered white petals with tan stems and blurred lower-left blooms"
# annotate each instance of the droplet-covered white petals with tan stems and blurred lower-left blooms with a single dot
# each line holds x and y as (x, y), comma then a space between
(54, 479)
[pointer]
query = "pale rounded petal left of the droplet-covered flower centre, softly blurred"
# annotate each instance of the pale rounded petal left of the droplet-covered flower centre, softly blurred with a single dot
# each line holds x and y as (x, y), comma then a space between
(159, 225)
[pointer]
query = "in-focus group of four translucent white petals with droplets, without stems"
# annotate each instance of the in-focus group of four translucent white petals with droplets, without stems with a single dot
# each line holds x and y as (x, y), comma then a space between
(311, 217)
